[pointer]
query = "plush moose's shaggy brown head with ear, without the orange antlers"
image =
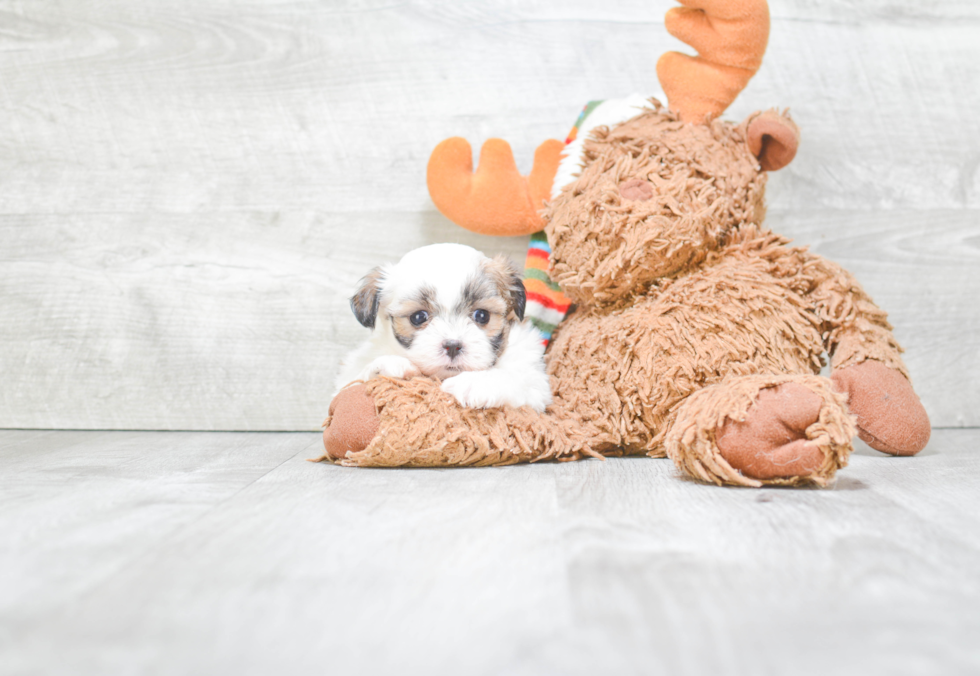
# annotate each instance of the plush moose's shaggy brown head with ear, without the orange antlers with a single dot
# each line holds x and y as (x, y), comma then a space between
(656, 196)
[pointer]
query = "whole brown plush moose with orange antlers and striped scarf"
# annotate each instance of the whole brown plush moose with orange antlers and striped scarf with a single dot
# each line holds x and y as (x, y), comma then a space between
(687, 329)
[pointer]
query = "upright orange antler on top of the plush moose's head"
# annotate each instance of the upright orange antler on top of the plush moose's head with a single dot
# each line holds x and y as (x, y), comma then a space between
(730, 37)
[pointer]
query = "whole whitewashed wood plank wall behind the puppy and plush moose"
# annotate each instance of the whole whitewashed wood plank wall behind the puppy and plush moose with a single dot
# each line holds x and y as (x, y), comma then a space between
(190, 189)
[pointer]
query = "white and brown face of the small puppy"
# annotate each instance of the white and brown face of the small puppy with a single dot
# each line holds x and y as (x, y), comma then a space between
(447, 307)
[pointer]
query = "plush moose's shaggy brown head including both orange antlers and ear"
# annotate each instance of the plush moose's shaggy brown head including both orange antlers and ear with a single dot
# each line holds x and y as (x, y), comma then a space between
(704, 174)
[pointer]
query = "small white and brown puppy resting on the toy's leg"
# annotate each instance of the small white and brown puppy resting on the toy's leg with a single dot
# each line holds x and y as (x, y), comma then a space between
(449, 312)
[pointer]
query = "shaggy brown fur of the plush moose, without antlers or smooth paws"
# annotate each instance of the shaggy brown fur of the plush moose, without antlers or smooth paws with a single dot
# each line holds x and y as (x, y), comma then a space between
(687, 309)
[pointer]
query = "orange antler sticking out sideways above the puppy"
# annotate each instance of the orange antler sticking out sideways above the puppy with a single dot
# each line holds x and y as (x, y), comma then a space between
(496, 200)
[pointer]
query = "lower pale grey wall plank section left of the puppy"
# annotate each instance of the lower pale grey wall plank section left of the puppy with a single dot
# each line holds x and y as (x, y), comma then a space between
(220, 321)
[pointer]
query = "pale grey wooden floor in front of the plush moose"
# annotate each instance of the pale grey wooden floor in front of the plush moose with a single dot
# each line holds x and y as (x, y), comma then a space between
(215, 553)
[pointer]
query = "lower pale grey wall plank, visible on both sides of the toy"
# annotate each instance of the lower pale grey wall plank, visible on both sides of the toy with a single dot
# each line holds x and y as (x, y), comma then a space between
(230, 322)
